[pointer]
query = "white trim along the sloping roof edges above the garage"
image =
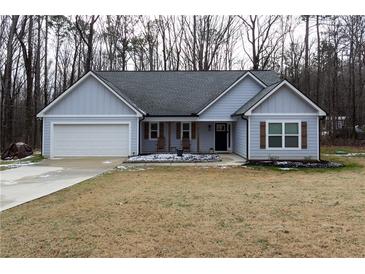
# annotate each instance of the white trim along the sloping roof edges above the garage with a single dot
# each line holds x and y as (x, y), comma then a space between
(90, 73)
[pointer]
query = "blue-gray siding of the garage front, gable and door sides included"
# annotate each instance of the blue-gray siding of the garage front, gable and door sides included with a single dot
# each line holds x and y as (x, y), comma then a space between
(89, 102)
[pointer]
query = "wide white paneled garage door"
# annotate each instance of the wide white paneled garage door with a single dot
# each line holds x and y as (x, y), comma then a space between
(90, 140)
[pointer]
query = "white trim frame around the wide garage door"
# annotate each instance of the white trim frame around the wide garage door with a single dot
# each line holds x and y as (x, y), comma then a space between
(51, 134)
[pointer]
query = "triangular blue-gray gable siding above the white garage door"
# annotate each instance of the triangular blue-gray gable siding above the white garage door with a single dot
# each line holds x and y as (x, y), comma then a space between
(90, 97)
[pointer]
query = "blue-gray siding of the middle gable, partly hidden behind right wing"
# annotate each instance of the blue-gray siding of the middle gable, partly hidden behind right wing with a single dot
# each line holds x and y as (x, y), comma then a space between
(232, 100)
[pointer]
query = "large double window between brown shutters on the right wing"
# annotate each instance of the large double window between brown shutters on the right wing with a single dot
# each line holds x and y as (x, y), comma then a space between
(283, 135)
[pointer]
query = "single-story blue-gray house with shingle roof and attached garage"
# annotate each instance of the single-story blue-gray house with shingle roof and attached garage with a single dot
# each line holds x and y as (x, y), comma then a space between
(254, 114)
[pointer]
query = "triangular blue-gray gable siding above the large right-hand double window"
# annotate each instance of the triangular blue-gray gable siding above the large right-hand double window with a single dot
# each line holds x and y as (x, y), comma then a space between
(284, 100)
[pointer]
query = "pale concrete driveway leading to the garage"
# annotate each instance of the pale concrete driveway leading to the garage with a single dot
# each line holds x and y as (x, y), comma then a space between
(23, 184)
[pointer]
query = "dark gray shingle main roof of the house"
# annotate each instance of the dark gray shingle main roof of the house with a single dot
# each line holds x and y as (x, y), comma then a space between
(175, 92)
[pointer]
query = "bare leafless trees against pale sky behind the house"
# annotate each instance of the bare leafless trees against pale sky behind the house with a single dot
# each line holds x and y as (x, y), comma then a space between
(41, 56)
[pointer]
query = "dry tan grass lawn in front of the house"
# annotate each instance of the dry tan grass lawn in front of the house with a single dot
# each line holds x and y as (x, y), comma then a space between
(195, 212)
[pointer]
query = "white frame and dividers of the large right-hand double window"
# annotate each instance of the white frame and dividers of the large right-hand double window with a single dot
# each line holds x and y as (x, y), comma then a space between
(283, 122)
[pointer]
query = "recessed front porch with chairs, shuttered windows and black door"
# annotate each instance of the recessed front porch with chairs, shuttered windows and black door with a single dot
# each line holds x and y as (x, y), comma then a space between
(191, 136)
